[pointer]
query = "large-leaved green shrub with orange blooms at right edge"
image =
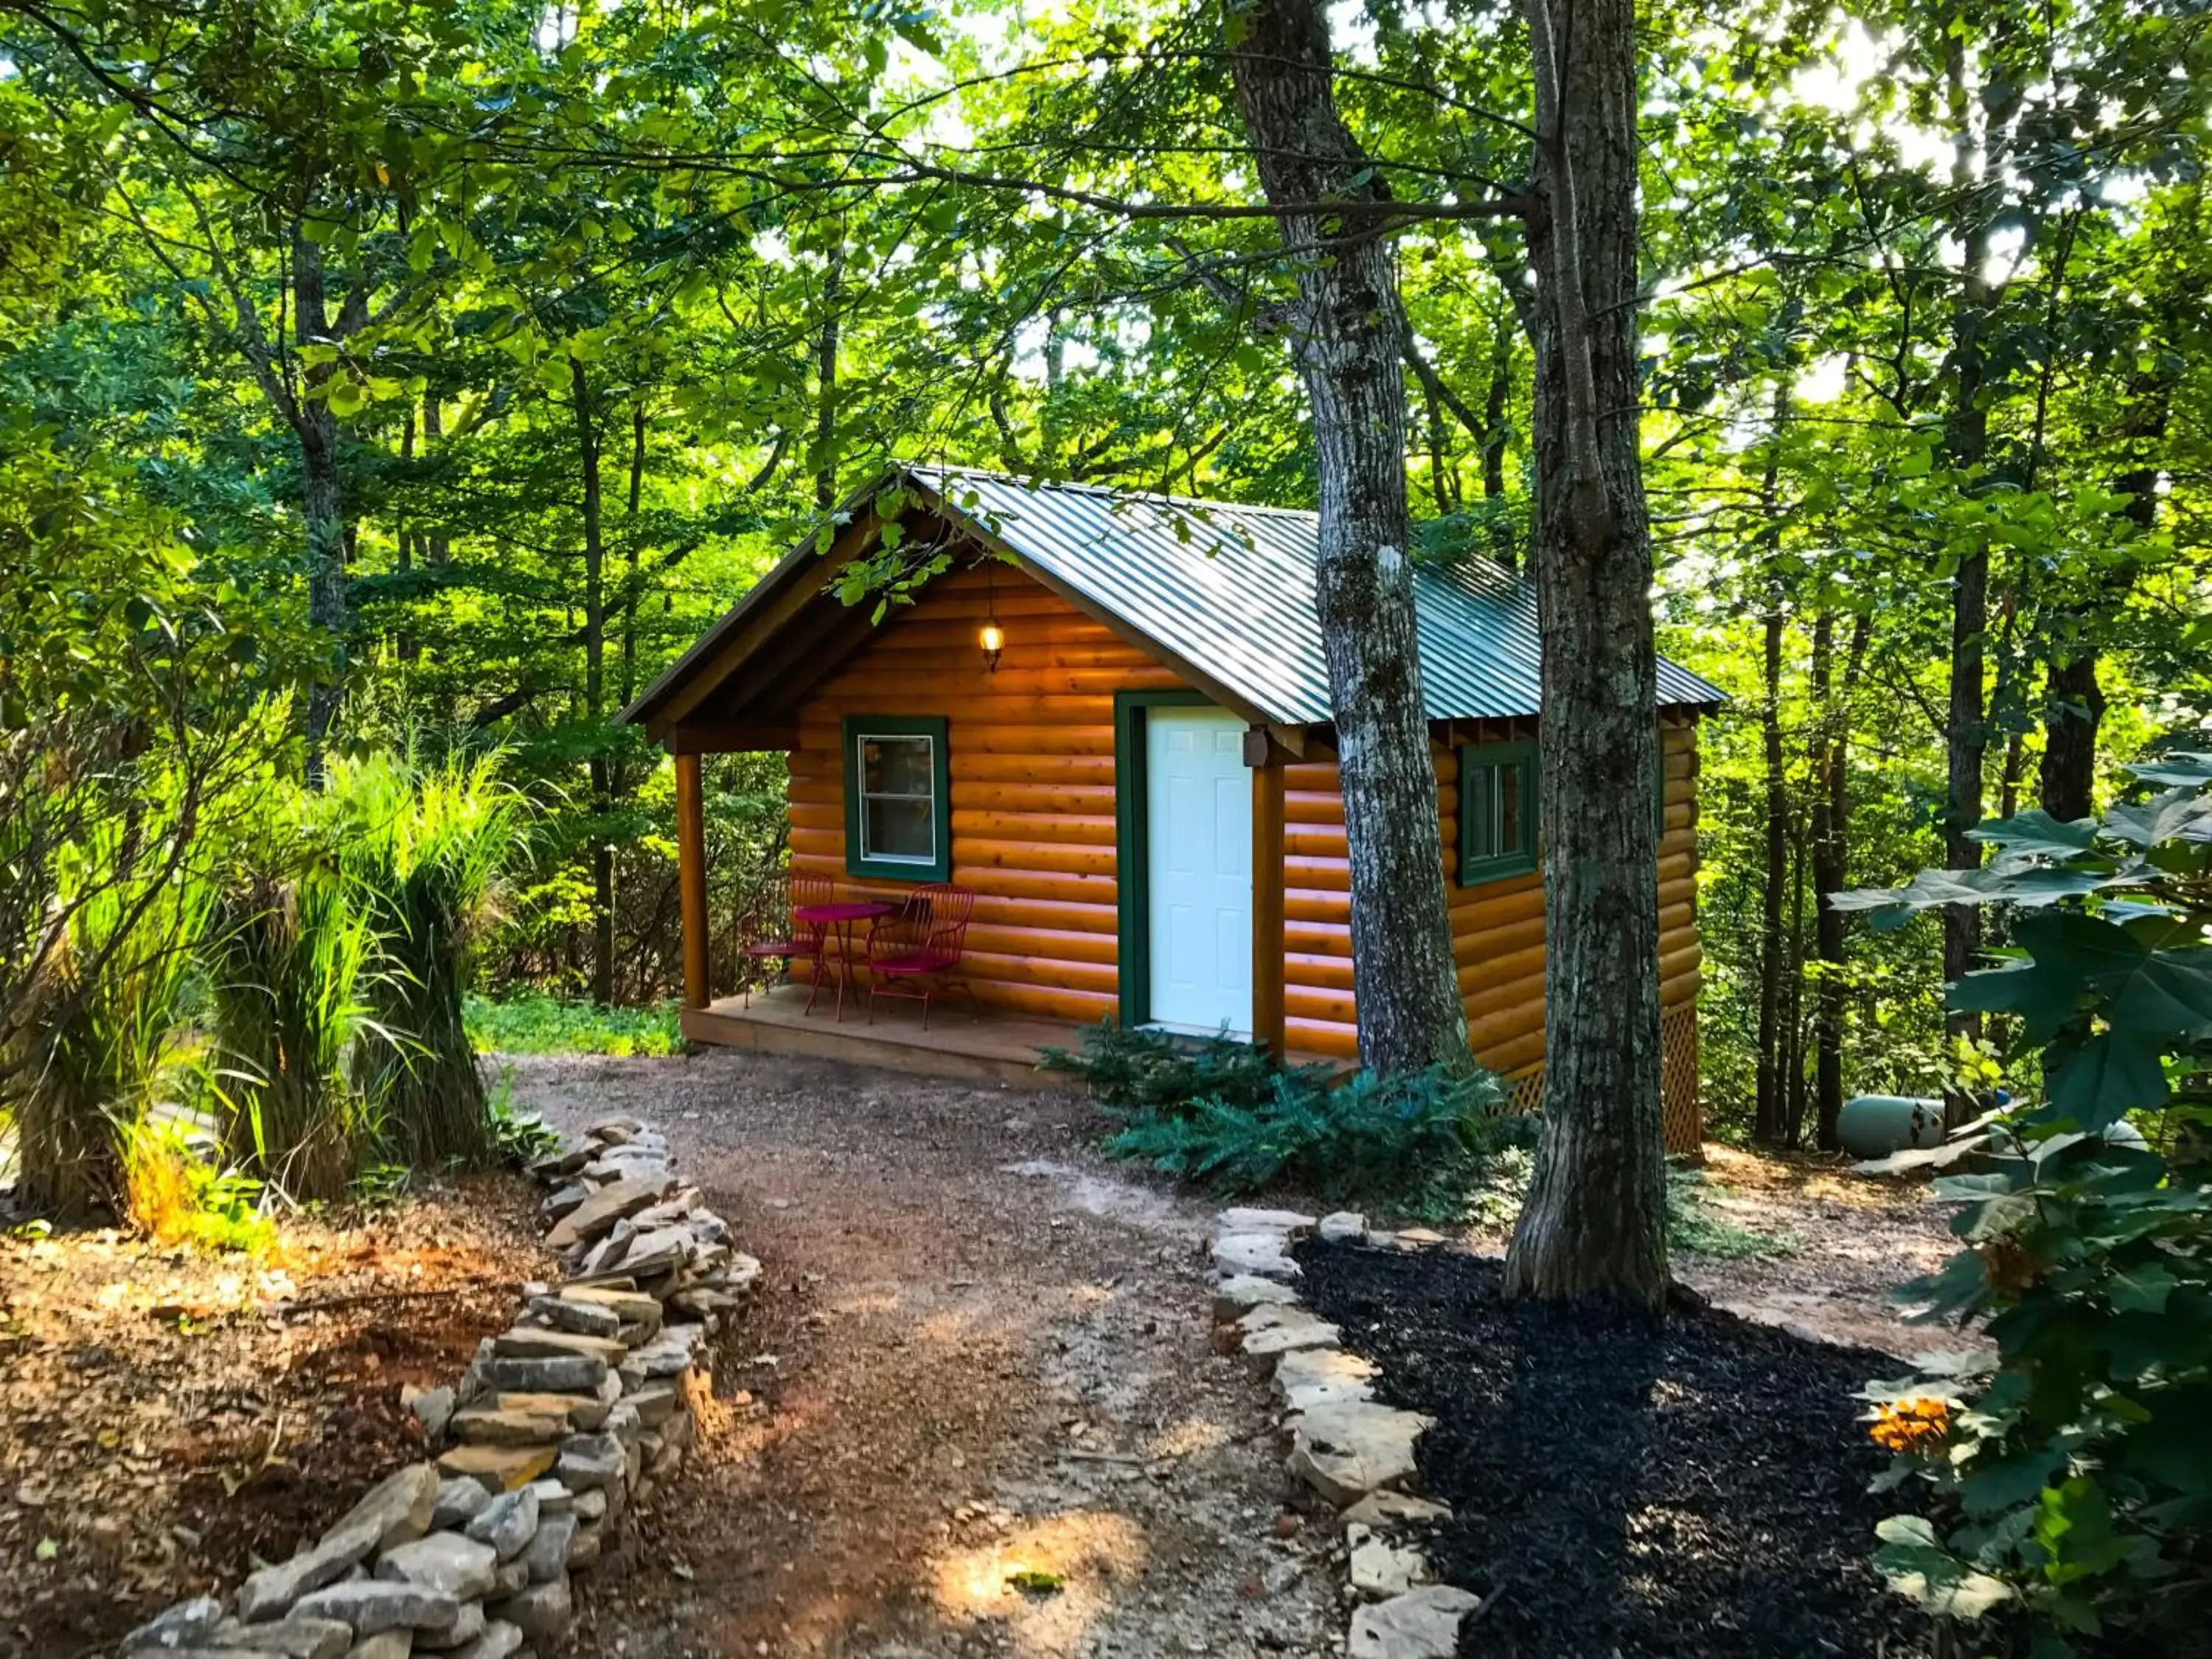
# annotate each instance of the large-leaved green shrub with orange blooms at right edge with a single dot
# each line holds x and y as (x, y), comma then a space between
(2076, 1474)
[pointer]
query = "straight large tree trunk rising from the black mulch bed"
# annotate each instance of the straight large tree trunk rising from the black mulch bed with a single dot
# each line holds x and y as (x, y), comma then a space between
(1596, 1215)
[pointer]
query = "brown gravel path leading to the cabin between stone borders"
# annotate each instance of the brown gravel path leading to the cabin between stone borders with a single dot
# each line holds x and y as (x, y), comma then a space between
(974, 1408)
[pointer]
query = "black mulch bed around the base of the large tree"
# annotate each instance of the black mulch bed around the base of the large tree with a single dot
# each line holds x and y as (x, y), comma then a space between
(1684, 1490)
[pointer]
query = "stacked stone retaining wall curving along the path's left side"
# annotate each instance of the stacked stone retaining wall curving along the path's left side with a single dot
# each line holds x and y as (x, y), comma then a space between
(550, 1437)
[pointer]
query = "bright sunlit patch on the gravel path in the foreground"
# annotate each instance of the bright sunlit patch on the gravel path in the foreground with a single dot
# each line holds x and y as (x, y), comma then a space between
(1074, 1561)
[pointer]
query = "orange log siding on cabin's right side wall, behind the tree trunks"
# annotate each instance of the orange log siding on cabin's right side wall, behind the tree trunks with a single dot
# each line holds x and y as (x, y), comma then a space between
(1496, 928)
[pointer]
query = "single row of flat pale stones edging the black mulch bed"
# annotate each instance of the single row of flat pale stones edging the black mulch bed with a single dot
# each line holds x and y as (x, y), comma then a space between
(1344, 1446)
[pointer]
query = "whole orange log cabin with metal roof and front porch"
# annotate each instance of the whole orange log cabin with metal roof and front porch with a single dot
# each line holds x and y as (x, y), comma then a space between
(1109, 718)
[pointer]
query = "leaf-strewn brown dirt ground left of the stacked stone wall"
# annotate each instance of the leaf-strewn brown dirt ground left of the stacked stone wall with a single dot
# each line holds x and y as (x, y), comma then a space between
(169, 1415)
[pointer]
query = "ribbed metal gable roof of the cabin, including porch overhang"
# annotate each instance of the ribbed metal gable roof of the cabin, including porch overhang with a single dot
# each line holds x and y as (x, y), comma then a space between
(1220, 594)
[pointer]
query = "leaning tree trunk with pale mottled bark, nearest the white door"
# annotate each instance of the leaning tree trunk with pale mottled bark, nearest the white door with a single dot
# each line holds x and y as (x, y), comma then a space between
(1348, 344)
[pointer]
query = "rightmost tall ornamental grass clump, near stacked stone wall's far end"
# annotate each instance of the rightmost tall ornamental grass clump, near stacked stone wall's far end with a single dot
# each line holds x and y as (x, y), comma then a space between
(424, 848)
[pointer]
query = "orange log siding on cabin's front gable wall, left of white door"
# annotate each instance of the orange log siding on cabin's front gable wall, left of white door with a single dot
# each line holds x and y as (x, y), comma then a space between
(1032, 780)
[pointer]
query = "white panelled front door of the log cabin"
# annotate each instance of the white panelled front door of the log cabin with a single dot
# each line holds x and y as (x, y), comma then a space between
(1200, 879)
